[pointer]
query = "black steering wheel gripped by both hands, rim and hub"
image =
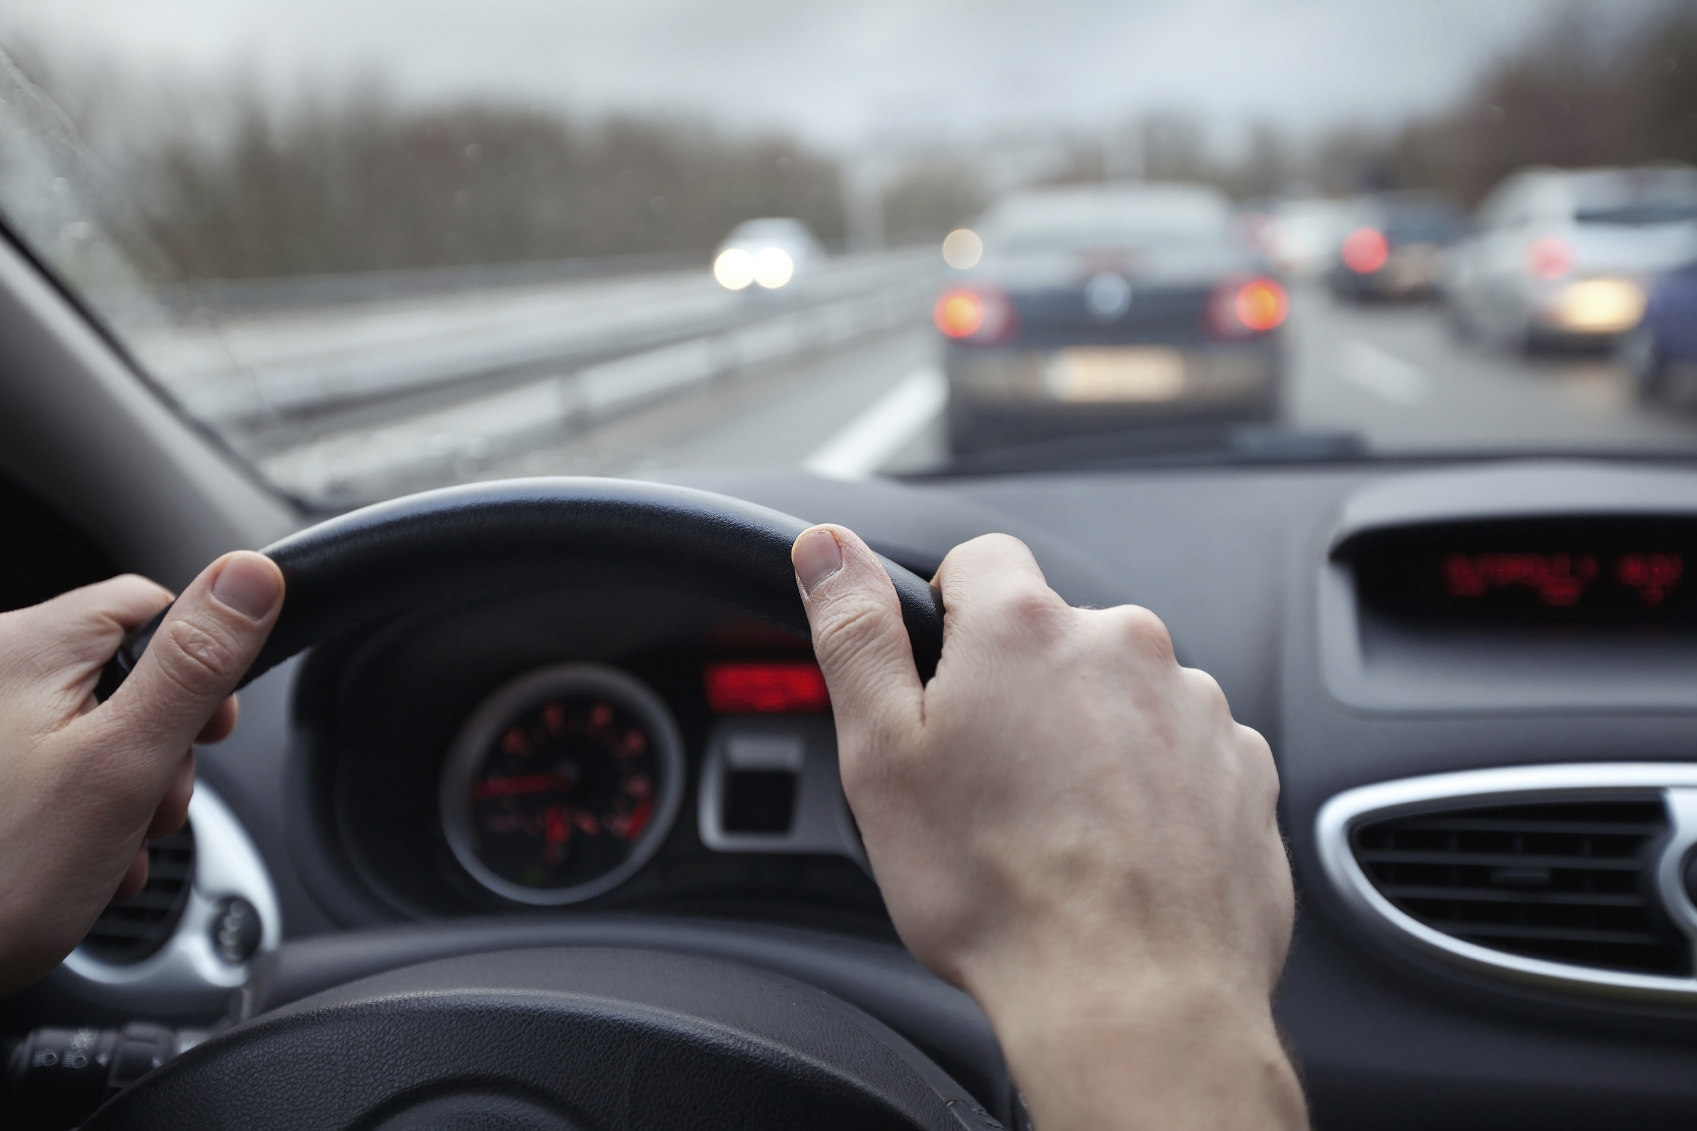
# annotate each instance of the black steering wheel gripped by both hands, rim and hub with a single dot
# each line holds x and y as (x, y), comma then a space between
(661, 1035)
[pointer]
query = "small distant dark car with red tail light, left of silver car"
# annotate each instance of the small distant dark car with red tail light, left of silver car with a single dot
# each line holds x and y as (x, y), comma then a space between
(1396, 249)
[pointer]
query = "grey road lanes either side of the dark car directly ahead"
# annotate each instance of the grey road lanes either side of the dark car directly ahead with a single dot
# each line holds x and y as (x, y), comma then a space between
(1391, 374)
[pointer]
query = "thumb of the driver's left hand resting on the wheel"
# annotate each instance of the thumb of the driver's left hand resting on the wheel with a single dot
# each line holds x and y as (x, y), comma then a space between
(199, 655)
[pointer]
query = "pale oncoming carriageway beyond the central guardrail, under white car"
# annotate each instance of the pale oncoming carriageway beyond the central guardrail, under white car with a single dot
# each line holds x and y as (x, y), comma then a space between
(293, 374)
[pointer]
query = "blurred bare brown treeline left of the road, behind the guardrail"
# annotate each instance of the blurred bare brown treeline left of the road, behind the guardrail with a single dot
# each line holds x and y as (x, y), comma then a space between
(235, 188)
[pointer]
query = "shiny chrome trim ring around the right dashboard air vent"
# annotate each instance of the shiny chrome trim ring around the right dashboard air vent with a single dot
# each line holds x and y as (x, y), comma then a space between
(1672, 784)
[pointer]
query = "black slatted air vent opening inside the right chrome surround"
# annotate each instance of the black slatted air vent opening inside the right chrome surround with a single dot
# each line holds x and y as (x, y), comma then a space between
(1565, 882)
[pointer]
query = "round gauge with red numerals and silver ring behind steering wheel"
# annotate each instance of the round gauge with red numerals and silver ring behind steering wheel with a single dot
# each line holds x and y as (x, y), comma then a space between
(563, 784)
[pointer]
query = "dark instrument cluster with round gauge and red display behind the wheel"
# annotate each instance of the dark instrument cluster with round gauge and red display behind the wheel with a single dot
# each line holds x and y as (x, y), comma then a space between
(544, 753)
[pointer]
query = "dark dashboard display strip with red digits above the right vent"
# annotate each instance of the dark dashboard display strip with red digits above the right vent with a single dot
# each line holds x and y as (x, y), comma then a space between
(1549, 571)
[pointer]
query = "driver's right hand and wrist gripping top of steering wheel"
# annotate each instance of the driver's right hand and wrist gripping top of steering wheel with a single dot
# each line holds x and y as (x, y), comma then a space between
(1072, 828)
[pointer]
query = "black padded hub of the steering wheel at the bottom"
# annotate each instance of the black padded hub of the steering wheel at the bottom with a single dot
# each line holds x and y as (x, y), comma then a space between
(556, 1040)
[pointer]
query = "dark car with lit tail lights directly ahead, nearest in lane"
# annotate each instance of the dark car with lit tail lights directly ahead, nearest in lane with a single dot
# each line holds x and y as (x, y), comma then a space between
(1109, 308)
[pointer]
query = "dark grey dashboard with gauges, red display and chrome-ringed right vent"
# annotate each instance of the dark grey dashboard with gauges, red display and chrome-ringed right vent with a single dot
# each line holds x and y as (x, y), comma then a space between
(1479, 682)
